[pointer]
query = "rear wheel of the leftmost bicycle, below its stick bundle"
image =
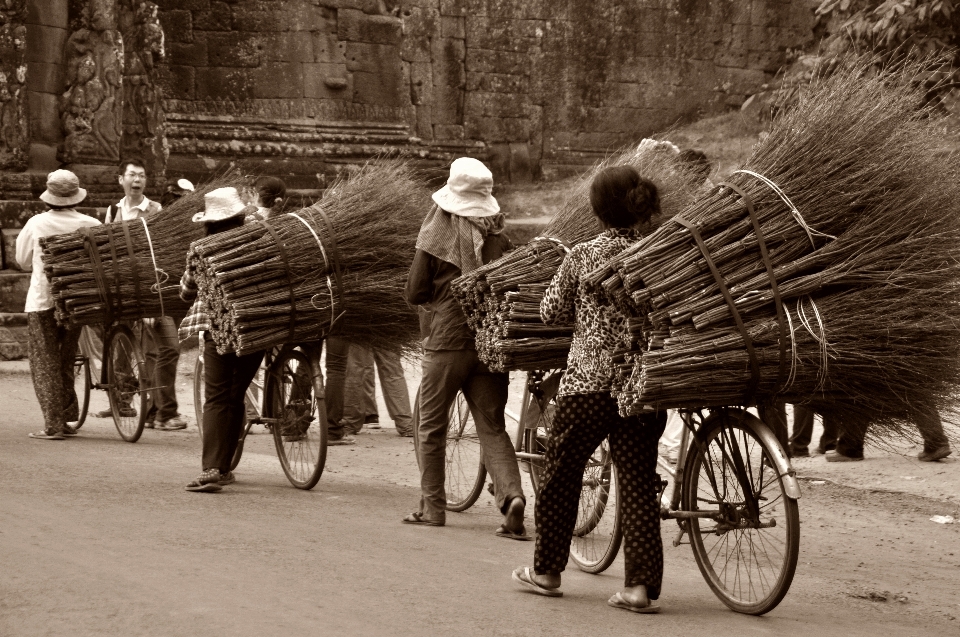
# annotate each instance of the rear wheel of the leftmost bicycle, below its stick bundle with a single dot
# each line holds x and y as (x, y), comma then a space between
(126, 375)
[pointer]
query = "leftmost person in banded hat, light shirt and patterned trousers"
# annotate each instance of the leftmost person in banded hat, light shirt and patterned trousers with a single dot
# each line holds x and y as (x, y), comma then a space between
(52, 348)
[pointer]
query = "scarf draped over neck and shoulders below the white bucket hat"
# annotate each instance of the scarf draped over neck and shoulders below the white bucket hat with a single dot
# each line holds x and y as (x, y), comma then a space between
(455, 239)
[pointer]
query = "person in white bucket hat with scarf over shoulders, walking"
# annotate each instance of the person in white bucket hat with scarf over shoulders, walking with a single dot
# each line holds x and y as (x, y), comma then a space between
(460, 233)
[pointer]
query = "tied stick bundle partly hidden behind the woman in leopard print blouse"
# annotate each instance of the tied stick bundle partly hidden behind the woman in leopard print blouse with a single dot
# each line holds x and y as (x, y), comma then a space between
(502, 299)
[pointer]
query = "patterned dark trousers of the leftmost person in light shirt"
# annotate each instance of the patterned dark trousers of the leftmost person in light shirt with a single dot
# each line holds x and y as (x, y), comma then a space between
(53, 350)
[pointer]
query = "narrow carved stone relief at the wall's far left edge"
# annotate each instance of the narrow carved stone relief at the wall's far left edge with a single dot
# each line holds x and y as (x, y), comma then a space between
(14, 137)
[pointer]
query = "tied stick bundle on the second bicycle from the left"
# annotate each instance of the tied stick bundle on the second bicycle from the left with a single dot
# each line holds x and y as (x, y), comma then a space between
(263, 288)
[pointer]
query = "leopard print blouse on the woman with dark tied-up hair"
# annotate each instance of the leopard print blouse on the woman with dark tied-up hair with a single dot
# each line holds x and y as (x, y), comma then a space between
(599, 329)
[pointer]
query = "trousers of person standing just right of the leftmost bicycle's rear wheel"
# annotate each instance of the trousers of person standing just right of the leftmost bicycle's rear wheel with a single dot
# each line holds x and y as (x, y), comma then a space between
(161, 347)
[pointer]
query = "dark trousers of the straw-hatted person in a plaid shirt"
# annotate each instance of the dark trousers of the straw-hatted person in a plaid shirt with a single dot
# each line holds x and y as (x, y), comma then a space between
(226, 377)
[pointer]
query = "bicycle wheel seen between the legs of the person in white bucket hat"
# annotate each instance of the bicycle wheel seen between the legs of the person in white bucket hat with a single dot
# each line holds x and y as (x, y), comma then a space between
(464, 473)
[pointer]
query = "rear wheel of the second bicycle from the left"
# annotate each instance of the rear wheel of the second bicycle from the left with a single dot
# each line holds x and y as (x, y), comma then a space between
(294, 398)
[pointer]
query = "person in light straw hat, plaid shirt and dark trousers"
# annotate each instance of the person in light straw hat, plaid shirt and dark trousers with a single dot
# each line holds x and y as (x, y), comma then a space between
(225, 376)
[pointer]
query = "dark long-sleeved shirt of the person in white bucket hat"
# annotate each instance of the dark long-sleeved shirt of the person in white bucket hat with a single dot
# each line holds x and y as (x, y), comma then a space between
(443, 325)
